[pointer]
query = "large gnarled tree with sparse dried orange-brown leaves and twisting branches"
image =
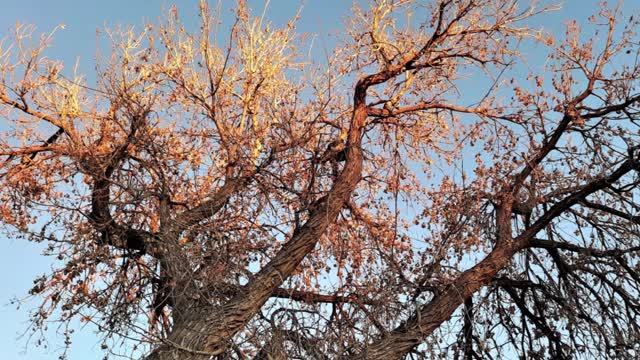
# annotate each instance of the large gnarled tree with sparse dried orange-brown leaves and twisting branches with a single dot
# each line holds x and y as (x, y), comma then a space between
(232, 199)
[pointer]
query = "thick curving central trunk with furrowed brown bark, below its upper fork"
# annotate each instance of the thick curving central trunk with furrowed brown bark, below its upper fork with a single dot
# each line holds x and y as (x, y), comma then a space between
(206, 334)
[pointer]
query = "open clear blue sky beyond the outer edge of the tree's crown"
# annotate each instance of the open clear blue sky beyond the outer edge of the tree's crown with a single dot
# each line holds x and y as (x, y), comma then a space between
(20, 262)
